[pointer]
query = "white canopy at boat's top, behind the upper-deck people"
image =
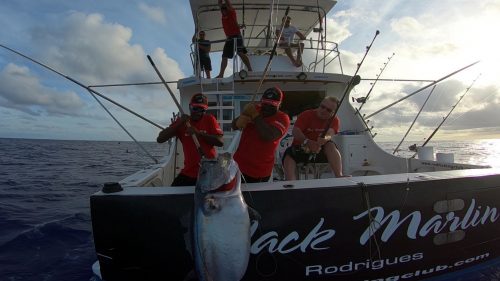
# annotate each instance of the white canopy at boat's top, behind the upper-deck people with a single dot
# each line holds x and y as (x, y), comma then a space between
(258, 19)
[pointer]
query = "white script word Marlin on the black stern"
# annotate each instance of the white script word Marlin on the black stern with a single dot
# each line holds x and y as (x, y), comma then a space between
(416, 227)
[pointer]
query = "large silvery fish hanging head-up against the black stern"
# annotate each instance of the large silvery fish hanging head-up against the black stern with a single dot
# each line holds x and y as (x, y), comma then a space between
(221, 229)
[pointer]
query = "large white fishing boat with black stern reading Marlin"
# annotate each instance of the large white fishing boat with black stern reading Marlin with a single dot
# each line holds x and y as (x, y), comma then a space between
(395, 218)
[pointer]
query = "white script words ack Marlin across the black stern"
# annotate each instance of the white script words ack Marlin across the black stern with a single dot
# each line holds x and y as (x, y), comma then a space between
(318, 238)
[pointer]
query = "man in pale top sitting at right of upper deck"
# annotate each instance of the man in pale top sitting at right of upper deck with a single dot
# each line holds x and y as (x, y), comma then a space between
(286, 41)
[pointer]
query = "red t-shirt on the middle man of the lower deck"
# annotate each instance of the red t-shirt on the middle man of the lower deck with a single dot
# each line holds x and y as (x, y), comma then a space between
(254, 156)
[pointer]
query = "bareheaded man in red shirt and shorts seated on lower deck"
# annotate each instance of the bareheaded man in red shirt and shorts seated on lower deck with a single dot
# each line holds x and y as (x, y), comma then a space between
(306, 139)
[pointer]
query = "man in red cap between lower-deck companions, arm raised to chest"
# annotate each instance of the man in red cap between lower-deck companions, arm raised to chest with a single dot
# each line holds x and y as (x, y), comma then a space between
(262, 125)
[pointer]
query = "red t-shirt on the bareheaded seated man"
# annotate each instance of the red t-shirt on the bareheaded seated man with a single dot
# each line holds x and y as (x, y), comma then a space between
(312, 126)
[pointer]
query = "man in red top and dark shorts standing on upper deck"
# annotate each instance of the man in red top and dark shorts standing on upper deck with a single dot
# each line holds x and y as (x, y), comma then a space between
(232, 31)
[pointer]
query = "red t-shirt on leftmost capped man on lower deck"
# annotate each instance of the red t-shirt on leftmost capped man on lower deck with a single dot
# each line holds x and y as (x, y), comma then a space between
(207, 124)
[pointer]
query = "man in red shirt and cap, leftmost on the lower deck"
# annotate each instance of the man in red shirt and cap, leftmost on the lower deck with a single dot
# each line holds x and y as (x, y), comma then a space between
(207, 131)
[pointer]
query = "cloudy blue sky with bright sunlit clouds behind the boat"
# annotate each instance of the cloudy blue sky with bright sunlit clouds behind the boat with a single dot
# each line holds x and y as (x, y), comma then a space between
(106, 42)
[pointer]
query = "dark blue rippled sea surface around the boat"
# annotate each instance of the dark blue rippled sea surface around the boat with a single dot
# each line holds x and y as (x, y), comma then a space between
(45, 185)
